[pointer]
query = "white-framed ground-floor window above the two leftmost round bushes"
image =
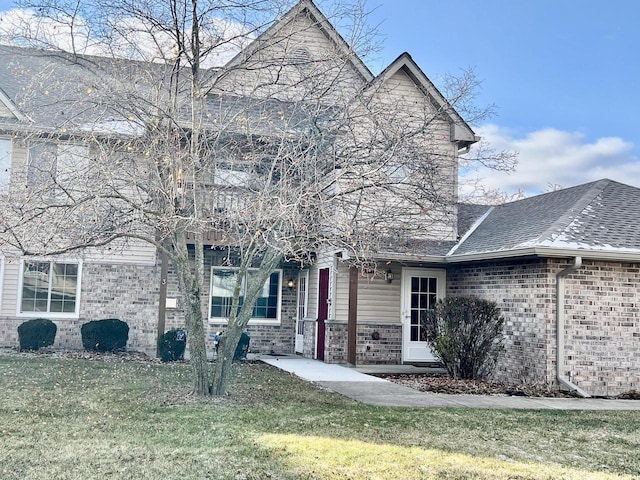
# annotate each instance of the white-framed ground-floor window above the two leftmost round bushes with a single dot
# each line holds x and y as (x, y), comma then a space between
(49, 287)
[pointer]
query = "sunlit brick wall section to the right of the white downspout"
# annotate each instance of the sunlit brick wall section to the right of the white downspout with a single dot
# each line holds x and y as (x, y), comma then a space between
(603, 327)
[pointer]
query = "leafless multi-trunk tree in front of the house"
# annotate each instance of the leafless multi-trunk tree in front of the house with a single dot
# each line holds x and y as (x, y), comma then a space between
(289, 146)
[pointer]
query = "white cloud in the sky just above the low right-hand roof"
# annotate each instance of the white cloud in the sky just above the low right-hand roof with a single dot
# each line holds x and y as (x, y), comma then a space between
(549, 158)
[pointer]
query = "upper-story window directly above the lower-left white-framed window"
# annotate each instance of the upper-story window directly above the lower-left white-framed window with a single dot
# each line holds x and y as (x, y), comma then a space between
(55, 163)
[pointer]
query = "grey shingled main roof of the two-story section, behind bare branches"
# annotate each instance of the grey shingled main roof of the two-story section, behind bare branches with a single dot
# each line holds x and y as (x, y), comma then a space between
(57, 90)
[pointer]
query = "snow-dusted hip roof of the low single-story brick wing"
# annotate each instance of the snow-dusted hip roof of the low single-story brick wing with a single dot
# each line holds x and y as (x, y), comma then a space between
(601, 216)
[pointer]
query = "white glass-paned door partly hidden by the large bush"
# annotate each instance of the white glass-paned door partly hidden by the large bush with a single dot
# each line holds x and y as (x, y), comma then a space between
(421, 287)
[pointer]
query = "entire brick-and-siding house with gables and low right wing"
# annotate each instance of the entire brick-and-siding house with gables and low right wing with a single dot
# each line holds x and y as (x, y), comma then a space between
(562, 266)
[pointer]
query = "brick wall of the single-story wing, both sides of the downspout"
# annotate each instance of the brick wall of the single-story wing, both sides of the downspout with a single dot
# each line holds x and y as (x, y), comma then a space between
(602, 339)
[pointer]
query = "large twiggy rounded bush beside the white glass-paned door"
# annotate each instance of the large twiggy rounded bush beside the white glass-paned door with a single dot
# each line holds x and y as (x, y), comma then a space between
(465, 333)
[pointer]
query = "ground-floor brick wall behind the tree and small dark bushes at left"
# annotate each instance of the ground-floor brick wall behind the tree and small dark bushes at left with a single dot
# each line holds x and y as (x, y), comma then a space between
(132, 292)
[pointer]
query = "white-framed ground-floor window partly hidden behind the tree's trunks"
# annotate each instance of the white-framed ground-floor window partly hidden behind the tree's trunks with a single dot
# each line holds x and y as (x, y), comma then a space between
(223, 281)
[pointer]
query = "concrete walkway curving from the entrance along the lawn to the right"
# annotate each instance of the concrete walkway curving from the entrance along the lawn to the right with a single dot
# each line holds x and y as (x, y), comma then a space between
(377, 391)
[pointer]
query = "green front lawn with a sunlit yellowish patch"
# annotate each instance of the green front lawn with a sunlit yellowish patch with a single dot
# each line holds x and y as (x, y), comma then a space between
(81, 419)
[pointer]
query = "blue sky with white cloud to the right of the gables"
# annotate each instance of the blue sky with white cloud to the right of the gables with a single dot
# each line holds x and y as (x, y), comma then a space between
(563, 75)
